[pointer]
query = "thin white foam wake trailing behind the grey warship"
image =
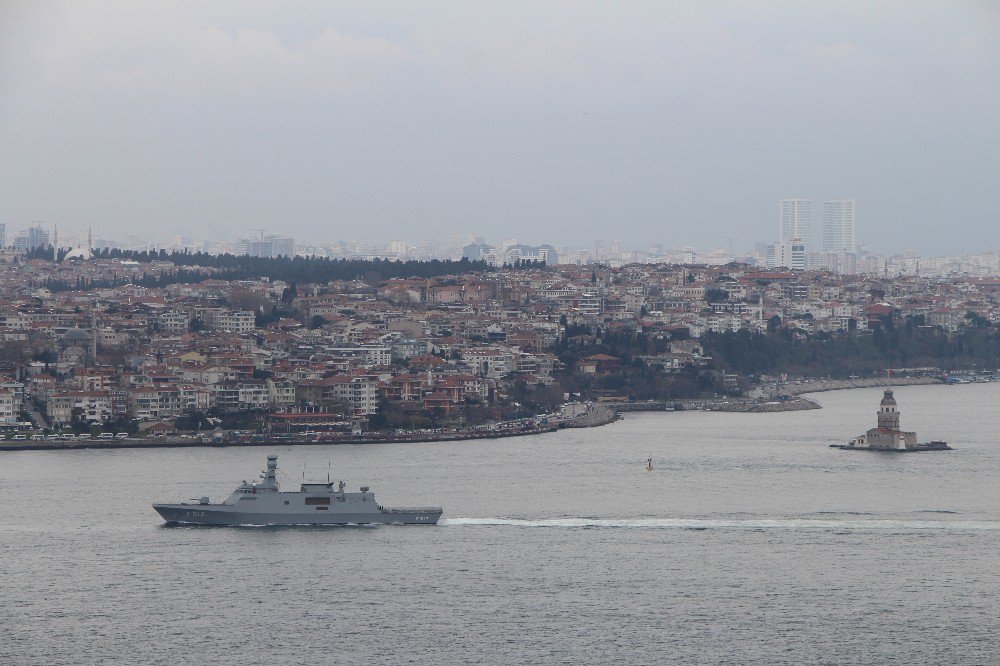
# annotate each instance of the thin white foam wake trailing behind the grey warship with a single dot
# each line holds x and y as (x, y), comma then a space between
(707, 524)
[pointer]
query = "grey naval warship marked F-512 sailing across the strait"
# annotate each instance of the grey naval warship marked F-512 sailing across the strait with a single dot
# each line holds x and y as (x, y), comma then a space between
(263, 503)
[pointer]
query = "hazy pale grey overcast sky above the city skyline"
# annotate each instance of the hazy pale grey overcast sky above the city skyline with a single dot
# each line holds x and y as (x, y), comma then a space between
(672, 122)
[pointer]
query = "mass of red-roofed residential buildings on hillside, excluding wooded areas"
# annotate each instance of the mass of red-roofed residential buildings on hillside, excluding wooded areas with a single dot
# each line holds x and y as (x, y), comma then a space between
(340, 354)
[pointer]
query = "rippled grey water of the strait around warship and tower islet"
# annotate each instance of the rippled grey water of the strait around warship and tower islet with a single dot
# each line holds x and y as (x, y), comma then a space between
(751, 541)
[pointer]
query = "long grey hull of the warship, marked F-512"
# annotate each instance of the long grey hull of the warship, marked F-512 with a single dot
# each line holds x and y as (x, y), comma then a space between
(208, 514)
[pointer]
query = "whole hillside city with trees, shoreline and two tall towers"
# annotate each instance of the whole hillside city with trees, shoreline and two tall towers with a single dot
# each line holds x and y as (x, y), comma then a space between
(275, 337)
